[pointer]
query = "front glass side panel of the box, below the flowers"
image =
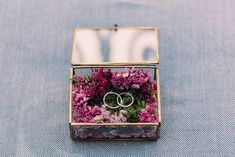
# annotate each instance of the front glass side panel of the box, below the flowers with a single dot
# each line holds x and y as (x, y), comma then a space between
(147, 132)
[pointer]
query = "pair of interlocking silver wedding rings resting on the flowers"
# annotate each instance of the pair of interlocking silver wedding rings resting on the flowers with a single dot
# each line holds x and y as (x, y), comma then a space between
(119, 100)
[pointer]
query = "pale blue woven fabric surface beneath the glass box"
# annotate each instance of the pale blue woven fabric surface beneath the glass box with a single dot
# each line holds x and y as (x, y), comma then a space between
(197, 65)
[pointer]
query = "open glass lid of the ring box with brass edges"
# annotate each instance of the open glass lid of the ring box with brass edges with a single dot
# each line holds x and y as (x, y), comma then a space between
(115, 46)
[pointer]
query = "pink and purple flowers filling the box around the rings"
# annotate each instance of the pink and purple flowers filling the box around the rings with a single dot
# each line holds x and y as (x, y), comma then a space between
(88, 91)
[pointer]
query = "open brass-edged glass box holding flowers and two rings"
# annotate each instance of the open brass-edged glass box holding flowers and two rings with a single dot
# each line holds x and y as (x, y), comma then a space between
(114, 84)
